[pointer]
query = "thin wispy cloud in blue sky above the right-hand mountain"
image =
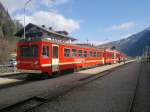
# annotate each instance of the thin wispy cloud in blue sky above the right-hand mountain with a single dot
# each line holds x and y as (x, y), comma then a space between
(122, 26)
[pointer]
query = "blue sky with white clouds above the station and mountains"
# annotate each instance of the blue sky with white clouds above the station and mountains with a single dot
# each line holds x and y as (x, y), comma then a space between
(97, 21)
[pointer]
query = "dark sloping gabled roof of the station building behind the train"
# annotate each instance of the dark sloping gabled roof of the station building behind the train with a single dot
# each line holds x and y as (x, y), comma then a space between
(55, 34)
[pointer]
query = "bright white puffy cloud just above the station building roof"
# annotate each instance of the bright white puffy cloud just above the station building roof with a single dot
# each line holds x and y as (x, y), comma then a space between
(56, 20)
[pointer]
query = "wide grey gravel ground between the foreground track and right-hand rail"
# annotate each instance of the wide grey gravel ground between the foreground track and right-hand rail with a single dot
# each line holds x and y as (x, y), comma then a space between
(112, 93)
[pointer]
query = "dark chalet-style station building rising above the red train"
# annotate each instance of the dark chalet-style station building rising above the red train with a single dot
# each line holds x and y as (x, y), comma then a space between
(33, 31)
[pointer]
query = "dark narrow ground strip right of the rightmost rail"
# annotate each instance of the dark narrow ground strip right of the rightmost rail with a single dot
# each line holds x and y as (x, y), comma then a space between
(142, 98)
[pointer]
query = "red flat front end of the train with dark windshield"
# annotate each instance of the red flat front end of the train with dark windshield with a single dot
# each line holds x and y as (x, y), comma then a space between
(28, 58)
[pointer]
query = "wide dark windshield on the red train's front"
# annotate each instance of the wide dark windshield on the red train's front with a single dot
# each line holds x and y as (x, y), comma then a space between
(29, 51)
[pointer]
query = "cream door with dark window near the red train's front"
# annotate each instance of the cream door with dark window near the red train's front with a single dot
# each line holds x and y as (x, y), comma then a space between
(55, 58)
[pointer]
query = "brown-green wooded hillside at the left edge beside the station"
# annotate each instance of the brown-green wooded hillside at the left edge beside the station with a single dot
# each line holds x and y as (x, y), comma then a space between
(7, 29)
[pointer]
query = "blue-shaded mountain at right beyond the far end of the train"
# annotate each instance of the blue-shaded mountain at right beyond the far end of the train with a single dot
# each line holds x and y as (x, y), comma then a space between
(133, 45)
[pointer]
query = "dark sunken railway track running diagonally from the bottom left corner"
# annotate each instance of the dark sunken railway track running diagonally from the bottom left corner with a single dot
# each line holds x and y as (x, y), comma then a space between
(34, 102)
